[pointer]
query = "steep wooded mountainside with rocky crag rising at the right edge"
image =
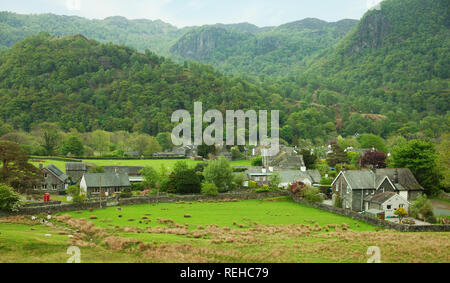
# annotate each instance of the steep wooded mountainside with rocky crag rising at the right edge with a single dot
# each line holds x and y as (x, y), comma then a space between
(395, 62)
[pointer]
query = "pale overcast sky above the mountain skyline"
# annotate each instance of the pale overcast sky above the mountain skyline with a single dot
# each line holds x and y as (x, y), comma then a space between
(199, 12)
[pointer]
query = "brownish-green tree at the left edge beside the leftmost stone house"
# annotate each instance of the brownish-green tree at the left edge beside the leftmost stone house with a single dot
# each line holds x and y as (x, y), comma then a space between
(16, 171)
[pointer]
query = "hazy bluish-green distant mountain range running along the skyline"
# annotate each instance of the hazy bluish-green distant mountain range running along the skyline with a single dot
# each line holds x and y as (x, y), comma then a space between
(232, 48)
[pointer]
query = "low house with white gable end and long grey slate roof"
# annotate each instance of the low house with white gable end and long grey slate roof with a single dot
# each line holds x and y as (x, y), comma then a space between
(108, 184)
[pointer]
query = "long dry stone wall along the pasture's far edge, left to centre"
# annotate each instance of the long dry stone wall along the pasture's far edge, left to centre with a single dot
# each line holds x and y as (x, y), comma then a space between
(55, 208)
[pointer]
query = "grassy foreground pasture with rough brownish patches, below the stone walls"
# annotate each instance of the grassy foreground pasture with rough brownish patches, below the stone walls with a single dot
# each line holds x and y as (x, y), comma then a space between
(273, 230)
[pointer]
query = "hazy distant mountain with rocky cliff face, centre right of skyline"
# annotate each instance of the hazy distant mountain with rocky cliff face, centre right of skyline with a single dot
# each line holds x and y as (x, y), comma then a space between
(268, 51)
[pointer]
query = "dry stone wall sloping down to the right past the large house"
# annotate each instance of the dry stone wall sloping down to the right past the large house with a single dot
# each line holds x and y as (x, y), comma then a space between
(375, 221)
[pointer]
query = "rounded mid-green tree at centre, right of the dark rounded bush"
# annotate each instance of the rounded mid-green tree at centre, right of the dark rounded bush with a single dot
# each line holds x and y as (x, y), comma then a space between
(220, 173)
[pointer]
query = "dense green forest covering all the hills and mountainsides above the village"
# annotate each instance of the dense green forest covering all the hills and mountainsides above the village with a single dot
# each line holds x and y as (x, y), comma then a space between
(388, 76)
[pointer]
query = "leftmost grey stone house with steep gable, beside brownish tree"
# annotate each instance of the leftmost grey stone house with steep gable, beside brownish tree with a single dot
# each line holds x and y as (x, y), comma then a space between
(53, 181)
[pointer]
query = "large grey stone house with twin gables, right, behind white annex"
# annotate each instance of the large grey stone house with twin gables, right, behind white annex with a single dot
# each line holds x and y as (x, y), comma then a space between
(356, 185)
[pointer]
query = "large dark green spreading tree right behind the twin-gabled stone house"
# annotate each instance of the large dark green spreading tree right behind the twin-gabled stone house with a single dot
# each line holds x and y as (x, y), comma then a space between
(421, 158)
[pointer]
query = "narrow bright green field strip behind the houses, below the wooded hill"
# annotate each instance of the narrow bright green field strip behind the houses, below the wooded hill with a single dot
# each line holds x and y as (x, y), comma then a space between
(148, 162)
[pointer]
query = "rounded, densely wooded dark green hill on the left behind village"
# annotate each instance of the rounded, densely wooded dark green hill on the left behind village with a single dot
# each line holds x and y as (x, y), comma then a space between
(83, 84)
